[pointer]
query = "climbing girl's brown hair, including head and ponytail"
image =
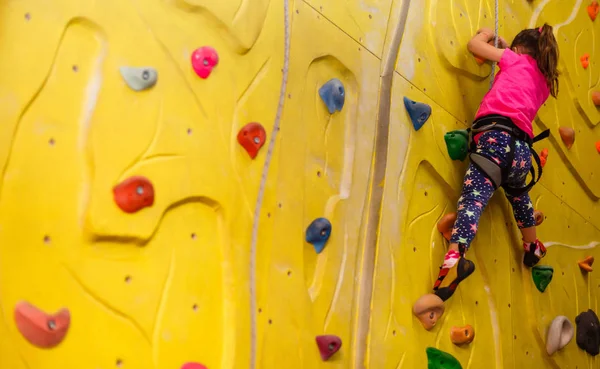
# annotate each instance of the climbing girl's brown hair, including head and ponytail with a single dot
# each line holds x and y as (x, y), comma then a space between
(541, 45)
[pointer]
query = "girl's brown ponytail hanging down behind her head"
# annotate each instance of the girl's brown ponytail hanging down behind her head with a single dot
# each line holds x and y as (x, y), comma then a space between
(547, 57)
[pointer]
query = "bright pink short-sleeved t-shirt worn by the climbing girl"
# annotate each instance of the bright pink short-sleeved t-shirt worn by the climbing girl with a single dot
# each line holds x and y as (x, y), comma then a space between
(518, 92)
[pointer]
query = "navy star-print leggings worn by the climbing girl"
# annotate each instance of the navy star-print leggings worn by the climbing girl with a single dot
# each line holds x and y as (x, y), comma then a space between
(478, 189)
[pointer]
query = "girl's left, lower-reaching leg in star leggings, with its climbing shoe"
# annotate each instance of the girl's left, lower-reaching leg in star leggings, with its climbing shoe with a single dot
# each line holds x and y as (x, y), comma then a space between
(477, 191)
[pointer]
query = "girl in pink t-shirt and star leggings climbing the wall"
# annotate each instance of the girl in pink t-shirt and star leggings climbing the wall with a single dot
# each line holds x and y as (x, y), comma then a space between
(503, 134)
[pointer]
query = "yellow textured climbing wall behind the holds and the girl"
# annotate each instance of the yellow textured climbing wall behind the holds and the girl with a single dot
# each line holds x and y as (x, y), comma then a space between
(173, 284)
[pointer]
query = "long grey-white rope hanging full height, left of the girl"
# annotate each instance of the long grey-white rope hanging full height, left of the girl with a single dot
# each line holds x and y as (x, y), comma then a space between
(263, 181)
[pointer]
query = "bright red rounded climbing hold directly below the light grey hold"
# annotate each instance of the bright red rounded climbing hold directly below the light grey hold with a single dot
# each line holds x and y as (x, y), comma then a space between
(134, 194)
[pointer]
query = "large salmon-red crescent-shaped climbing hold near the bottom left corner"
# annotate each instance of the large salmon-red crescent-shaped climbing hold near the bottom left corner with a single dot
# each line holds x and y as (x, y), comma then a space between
(39, 328)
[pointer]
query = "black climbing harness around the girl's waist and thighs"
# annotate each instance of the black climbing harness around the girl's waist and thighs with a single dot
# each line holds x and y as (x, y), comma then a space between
(491, 168)
